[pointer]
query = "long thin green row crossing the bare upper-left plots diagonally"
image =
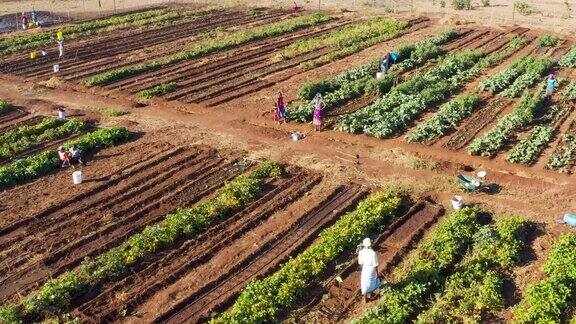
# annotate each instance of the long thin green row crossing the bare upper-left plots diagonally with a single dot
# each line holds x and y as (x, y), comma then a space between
(233, 39)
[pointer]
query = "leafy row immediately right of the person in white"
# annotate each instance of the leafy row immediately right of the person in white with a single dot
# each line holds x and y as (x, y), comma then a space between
(425, 268)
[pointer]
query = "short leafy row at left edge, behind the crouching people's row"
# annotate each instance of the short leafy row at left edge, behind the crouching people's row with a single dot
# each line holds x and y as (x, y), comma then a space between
(25, 137)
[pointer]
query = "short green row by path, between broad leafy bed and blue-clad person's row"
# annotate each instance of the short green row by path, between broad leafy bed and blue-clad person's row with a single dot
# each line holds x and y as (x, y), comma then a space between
(447, 117)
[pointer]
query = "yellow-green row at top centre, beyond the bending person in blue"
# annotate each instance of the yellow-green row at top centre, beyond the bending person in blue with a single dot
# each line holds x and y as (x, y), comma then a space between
(344, 37)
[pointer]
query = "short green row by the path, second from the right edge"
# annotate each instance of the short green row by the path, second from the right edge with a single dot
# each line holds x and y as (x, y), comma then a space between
(528, 150)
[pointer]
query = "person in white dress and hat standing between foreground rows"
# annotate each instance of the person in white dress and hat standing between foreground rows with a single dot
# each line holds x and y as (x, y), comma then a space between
(369, 280)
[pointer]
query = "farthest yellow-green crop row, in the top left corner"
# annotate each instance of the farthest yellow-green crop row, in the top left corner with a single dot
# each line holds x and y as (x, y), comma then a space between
(42, 38)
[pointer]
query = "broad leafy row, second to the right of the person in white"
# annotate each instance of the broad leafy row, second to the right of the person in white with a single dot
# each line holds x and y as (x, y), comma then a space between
(474, 291)
